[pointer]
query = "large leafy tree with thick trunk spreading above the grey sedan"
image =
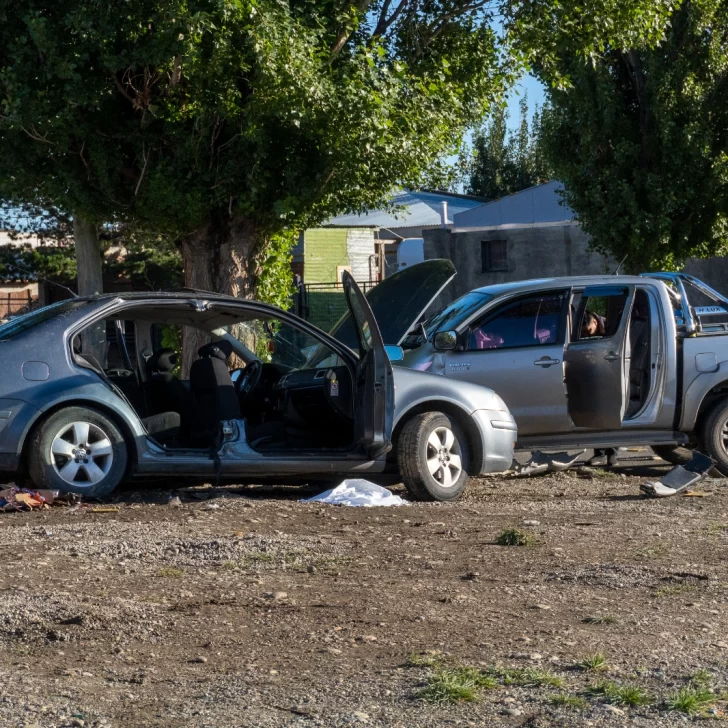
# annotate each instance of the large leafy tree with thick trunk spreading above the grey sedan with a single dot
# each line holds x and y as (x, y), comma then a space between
(228, 122)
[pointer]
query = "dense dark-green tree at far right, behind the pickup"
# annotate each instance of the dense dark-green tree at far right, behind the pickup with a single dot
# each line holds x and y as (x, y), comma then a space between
(640, 141)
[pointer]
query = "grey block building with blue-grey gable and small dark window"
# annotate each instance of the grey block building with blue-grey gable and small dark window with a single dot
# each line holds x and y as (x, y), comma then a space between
(530, 234)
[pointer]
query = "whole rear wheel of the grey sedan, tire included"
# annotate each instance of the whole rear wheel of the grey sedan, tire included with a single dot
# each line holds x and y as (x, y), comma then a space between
(78, 450)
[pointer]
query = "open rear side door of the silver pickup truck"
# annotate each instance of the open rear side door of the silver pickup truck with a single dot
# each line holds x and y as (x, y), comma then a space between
(597, 362)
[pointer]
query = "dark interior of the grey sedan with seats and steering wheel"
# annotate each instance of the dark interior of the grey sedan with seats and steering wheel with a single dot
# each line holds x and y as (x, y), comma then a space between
(292, 390)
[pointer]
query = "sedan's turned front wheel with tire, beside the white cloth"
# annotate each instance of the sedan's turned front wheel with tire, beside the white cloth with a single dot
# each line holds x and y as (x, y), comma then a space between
(418, 455)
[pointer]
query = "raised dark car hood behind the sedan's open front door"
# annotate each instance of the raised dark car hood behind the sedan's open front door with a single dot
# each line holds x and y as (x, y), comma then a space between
(398, 302)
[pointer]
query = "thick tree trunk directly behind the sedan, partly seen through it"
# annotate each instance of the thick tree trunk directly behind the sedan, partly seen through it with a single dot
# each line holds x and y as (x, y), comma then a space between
(221, 257)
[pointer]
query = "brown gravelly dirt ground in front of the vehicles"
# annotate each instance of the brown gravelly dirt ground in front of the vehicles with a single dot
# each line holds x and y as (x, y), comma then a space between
(244, 607)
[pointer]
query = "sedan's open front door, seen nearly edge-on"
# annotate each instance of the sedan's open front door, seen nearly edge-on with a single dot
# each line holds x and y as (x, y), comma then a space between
(374, 385)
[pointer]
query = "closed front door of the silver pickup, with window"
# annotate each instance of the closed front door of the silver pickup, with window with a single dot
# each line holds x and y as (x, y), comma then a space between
(518, 351)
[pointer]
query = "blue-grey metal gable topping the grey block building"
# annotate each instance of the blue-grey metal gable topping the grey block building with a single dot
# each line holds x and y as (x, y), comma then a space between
(535, 205)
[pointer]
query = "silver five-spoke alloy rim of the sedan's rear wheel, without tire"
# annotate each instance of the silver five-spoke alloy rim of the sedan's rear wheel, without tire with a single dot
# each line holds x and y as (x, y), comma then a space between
(82, 454)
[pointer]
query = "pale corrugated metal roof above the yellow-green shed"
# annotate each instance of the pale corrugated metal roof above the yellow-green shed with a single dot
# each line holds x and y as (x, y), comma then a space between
(422, 209)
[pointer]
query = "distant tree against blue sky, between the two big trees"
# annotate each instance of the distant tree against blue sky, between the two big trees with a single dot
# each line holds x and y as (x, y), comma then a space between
(505, 162)
